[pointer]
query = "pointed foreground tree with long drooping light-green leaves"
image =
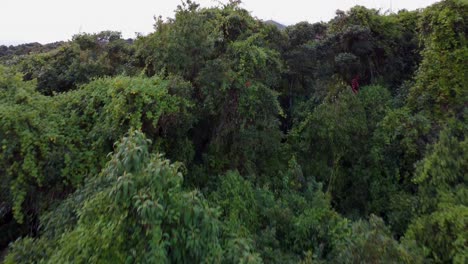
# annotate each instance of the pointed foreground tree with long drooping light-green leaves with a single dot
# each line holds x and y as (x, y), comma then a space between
(137, 211)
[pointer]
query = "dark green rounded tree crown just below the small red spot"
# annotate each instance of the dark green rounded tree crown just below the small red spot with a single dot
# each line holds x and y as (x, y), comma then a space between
(326, 138)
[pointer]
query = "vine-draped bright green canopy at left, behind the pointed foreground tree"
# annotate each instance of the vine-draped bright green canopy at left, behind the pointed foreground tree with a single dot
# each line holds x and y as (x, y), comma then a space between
(52, 144)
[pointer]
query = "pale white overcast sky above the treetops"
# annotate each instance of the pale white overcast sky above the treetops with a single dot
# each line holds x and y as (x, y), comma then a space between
(47, 21)
